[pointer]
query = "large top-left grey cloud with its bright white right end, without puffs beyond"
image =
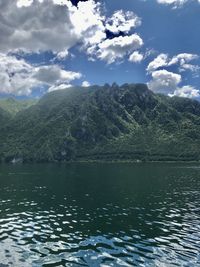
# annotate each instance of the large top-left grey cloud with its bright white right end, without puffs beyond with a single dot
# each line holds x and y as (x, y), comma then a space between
(43, 25)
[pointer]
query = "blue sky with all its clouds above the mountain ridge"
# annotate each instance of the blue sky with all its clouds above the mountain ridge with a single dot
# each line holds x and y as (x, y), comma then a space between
(47, 45)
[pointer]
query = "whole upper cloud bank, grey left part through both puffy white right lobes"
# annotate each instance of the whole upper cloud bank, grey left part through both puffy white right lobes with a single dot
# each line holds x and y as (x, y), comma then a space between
(57, 25)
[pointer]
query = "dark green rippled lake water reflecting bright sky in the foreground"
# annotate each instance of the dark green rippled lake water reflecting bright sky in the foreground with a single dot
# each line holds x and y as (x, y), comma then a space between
(100, 215)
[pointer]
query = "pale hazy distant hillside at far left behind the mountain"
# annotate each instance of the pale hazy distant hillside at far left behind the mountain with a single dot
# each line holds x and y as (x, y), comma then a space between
(13, 106)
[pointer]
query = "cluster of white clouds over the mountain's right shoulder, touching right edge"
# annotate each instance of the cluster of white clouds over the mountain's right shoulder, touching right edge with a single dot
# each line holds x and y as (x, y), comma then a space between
(168, 82)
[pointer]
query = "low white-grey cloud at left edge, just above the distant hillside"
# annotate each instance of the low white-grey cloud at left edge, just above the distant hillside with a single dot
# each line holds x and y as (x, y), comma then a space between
(21, 78)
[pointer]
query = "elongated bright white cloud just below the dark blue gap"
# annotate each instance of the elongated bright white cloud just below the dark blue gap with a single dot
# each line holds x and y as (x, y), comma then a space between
(116, 48)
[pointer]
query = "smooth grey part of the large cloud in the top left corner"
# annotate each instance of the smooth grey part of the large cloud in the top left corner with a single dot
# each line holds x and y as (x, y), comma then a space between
(34, 27)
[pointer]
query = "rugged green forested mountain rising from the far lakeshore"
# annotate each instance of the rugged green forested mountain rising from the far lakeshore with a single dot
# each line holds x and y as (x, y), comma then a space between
(129, 122)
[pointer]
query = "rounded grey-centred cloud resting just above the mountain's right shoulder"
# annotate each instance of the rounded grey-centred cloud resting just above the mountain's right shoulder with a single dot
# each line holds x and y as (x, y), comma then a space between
(164, 81)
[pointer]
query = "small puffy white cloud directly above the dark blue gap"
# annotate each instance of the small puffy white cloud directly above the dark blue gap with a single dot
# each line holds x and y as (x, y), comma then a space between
(122, 21)
